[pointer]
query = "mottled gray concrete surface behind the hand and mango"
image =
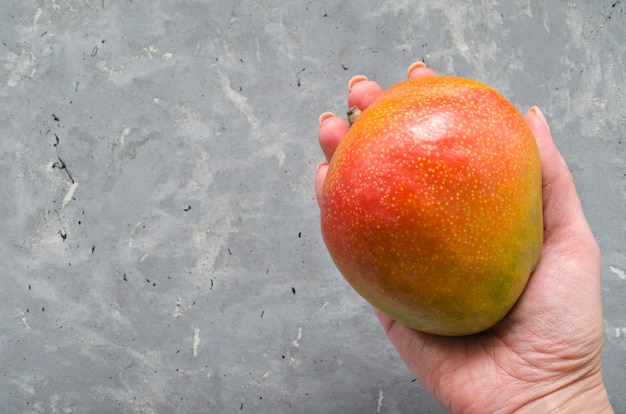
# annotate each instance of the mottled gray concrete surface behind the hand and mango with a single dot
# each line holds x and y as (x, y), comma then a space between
(160, 243)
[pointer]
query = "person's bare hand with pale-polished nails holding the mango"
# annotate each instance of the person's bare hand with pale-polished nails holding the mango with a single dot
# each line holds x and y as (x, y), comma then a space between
(545, 355)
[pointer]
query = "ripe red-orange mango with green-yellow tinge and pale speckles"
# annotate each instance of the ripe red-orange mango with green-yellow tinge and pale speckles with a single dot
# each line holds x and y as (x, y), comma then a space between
(432, 207)
